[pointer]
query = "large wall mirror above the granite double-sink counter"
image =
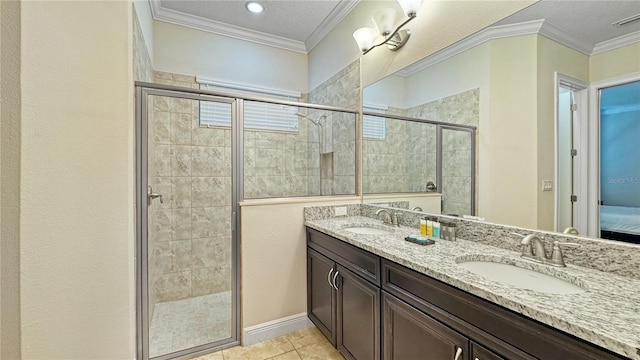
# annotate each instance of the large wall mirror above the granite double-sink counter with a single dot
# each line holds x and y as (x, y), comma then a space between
(505, 82)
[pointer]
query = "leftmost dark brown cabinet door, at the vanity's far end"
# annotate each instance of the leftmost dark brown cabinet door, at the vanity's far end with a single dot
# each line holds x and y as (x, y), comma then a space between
(321, 297)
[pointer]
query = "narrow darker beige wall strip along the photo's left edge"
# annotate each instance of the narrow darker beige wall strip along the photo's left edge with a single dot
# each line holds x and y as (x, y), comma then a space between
(10, 122)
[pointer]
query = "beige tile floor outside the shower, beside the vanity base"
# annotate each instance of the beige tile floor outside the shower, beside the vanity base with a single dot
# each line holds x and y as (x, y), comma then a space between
(307, 344)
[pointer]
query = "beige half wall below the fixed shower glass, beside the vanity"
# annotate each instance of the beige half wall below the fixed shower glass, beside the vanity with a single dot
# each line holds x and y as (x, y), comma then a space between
(273, 258)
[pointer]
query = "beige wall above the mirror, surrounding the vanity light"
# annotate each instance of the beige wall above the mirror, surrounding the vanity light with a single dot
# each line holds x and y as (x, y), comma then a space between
(450, 20)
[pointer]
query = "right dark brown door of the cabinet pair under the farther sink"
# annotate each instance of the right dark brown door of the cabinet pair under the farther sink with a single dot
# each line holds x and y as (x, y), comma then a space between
(358, 332)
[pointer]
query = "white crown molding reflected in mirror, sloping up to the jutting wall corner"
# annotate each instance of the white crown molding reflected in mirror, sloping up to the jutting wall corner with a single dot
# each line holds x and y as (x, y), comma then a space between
(494, 32)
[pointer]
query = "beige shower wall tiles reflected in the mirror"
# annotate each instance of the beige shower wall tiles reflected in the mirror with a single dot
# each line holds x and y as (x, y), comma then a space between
(406, 159)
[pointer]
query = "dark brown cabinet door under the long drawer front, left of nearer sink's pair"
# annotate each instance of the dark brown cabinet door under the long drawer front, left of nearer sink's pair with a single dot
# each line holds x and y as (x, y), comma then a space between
(409, 334)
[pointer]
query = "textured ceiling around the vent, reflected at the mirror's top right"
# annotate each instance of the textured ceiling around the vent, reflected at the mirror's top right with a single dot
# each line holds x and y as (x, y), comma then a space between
(588, 21)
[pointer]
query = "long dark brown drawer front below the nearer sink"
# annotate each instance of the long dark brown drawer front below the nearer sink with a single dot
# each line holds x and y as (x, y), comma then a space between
(509, 333)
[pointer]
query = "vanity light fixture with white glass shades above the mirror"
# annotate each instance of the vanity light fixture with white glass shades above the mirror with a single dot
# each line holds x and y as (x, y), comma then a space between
(383, 20)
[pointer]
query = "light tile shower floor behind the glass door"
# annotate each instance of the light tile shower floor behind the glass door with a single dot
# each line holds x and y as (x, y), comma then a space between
(181, 324)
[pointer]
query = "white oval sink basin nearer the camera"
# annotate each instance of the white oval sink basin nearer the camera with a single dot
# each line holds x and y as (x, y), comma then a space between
(521, 278)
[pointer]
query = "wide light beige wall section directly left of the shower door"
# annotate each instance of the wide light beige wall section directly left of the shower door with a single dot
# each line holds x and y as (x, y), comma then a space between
(77, 220)
